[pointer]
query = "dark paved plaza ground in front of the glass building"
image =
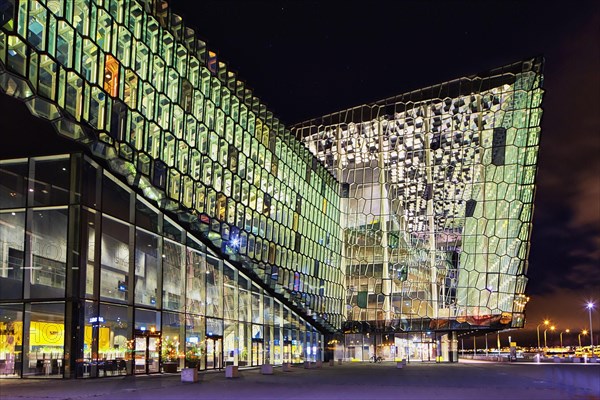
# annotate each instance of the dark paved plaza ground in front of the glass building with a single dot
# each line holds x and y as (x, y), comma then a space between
(466, 380)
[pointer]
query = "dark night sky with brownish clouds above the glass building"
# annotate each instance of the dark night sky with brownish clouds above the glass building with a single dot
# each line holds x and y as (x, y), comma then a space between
(305, 59)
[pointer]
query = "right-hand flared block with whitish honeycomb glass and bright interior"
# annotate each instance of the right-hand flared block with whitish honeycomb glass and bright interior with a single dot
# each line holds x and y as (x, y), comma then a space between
(437, 201)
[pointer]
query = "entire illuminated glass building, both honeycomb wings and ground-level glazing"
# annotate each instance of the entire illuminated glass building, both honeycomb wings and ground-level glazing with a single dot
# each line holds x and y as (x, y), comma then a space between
(193, 227)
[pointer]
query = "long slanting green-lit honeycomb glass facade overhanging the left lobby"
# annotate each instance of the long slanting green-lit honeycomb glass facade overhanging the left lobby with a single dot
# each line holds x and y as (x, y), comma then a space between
(144, 95)
